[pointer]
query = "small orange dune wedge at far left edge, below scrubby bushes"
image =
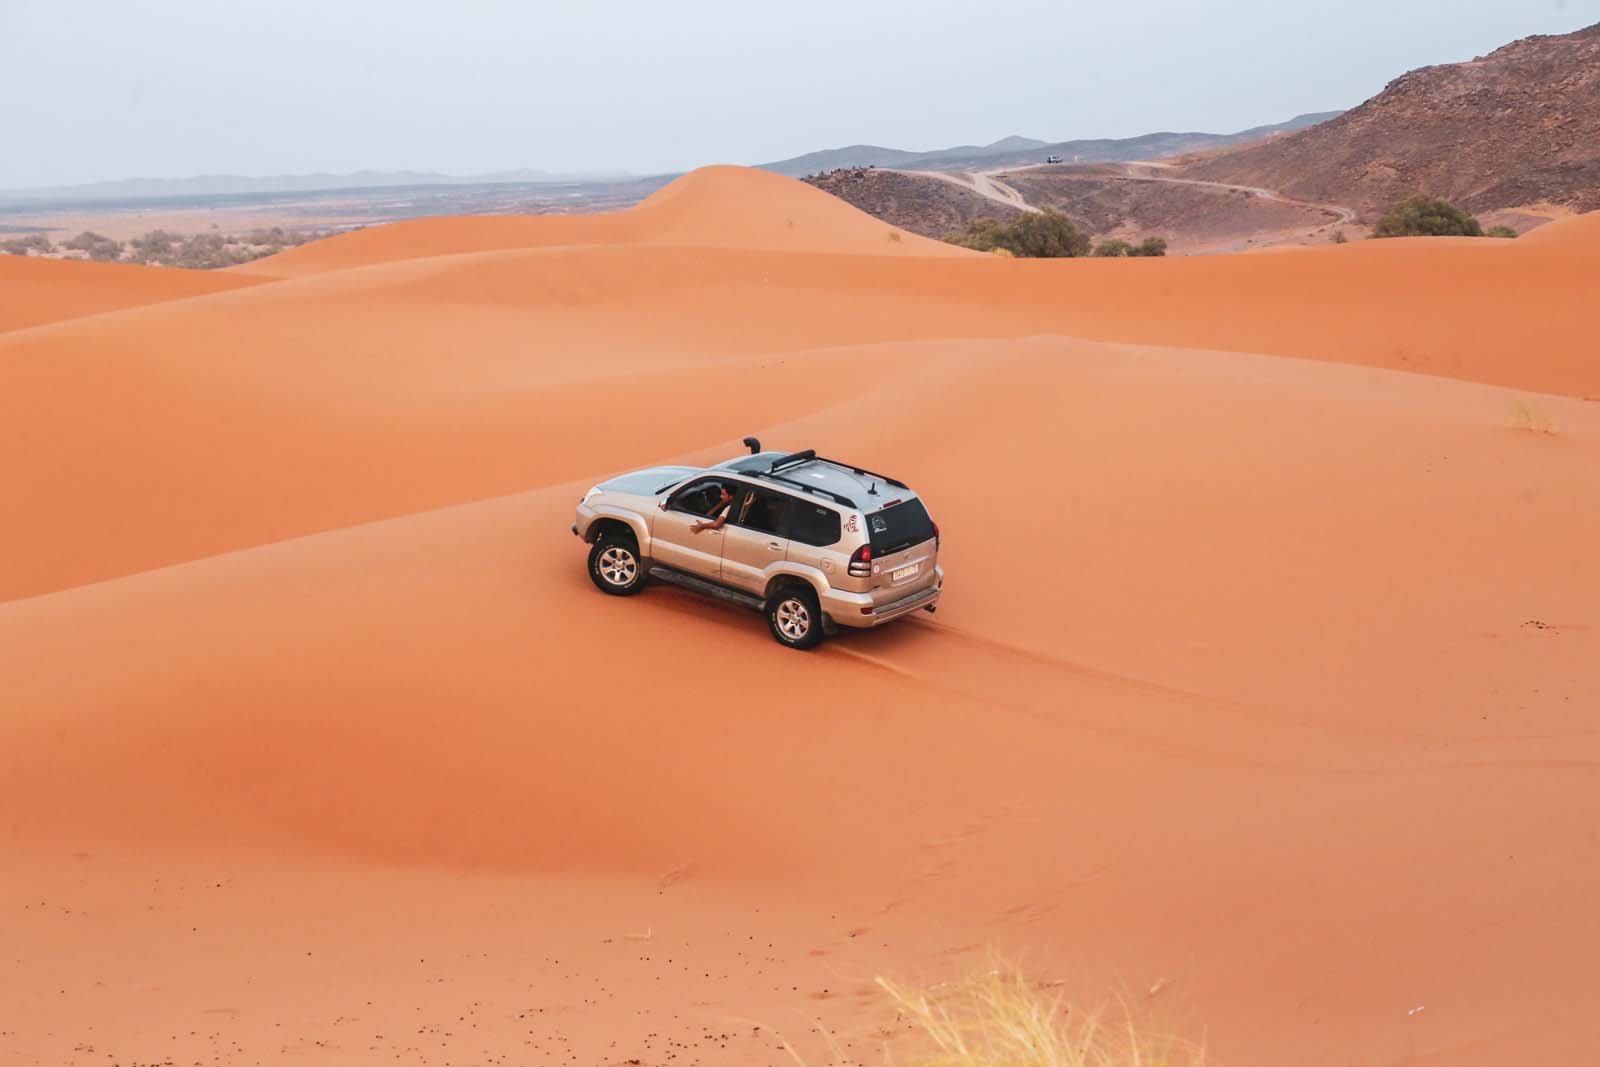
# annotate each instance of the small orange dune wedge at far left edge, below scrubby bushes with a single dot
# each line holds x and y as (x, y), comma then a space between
(50, 290)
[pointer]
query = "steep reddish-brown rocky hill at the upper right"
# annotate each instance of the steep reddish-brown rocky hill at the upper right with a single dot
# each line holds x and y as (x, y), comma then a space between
(1518, 127)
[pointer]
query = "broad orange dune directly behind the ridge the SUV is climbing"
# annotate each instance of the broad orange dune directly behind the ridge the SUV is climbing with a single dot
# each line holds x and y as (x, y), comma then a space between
(455, 374)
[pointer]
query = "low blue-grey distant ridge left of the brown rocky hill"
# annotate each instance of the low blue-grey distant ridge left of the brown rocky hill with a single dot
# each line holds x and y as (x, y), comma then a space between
(1020, 151)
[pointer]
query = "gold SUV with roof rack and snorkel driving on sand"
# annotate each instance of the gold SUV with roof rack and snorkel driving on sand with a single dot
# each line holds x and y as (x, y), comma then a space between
(812, 543)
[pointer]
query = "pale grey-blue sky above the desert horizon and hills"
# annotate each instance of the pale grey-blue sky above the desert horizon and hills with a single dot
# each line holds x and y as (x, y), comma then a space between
(97, 90)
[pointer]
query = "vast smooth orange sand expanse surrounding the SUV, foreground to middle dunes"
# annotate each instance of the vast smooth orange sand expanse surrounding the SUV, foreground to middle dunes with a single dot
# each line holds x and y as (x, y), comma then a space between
(1265, 689)
